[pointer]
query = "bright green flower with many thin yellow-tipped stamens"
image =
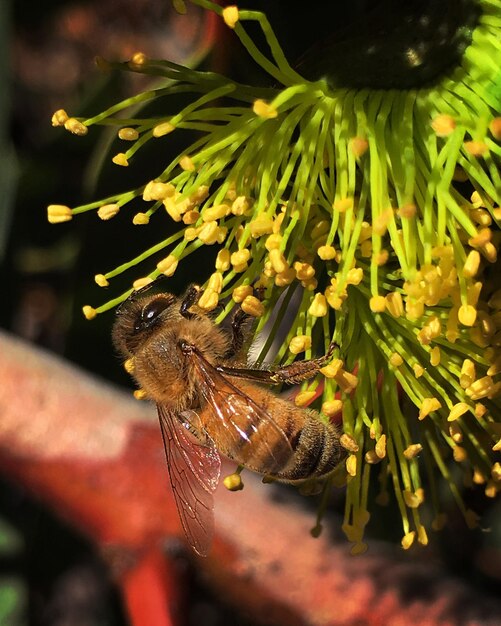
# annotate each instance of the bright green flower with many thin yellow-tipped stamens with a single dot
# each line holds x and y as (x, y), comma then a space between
(378, 210)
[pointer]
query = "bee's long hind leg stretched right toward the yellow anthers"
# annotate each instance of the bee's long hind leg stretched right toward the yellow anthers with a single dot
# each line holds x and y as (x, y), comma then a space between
(289, 374)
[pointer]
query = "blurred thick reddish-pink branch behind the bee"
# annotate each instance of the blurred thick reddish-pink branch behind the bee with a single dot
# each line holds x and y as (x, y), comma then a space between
(95, 456)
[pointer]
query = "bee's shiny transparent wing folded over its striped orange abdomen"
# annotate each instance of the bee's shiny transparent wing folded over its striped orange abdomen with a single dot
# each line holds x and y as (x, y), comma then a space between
(248, 431)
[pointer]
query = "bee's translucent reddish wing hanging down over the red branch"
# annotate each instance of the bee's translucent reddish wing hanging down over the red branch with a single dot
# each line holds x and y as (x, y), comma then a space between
(194, 473)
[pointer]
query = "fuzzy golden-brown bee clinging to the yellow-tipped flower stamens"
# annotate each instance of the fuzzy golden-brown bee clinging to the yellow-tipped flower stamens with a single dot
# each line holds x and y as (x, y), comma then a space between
(208, 406)
